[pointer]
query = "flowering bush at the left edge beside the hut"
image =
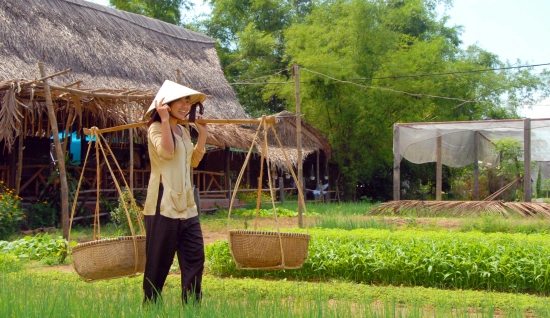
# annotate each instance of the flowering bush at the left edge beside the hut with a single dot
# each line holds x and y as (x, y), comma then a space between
(11, 213)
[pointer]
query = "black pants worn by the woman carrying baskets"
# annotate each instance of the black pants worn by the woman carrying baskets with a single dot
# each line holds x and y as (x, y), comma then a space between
(165, 237)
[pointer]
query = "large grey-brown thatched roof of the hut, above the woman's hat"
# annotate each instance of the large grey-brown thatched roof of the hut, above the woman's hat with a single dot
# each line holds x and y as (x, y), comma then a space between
(110, 53)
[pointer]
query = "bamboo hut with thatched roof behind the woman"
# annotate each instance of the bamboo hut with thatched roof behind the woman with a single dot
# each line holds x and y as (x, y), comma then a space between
(102, 67)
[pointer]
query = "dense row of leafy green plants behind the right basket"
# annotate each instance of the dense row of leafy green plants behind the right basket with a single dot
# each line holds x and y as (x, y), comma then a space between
(498, 261)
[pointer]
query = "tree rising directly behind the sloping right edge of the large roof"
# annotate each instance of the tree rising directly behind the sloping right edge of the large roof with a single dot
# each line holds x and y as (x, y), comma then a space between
(250, 34)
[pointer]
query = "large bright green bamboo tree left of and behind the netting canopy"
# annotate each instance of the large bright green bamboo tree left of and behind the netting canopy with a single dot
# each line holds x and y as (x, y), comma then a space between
(356, 58)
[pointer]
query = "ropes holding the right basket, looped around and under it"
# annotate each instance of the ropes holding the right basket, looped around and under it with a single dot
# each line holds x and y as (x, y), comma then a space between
(264, 151)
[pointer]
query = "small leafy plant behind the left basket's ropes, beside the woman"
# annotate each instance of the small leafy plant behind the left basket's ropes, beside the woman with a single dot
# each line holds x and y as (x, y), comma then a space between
(120, 218)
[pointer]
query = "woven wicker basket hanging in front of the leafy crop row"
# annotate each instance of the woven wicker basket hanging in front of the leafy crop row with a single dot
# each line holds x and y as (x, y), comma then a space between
(262, 250)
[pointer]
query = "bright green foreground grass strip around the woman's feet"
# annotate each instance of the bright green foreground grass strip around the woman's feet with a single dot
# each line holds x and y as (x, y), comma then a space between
(59, 294)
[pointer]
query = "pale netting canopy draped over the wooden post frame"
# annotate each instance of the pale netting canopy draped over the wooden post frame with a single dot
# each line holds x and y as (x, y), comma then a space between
(418, 142)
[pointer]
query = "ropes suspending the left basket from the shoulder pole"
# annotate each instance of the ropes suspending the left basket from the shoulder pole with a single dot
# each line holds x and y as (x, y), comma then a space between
(97, 229)
